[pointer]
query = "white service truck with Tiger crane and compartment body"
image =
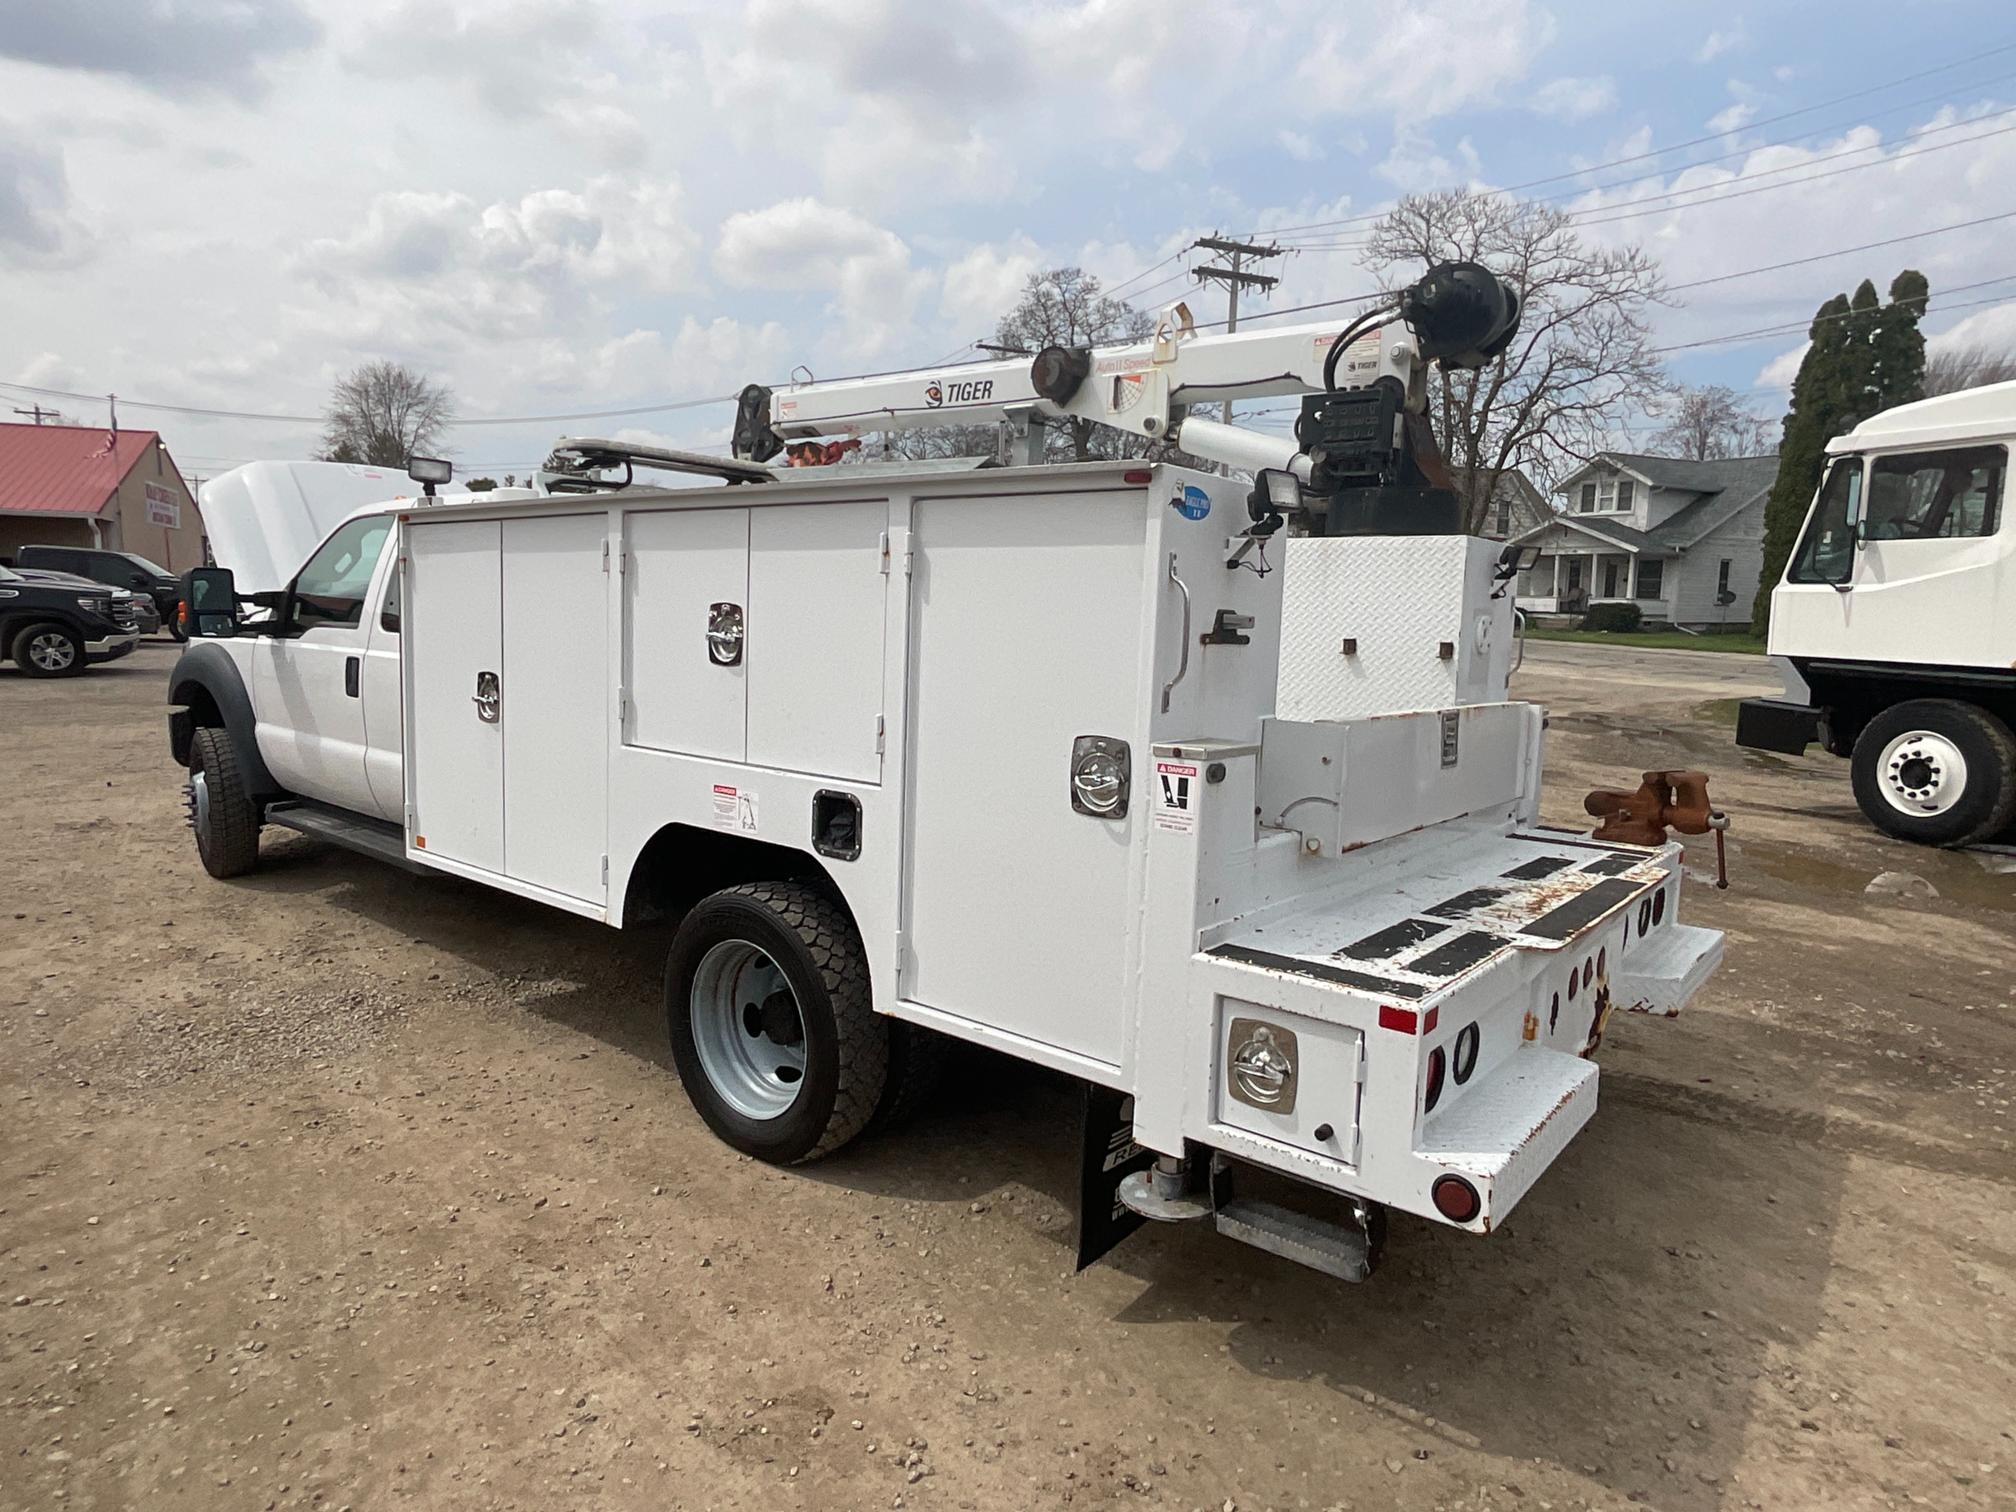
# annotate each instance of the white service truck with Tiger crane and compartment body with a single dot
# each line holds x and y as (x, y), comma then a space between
(993, 755)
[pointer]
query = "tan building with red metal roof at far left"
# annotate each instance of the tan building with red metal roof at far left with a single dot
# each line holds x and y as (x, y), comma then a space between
(84, 487)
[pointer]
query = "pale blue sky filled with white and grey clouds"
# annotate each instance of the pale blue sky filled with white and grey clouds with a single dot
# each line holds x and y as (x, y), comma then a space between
(565, 207)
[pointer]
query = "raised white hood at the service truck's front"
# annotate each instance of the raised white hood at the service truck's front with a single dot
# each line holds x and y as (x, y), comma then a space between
(267, 517)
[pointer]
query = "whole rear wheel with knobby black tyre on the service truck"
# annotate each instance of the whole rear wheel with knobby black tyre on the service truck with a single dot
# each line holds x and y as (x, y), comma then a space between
(767, 999)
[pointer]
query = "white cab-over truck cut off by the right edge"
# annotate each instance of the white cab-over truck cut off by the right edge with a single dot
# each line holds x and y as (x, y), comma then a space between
(1896, 622)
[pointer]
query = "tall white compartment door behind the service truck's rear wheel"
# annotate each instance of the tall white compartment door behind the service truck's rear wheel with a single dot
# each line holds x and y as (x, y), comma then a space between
(1025, 636)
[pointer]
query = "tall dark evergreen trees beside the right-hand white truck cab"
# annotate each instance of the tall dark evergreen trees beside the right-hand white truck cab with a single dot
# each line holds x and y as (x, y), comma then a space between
(1866, 358)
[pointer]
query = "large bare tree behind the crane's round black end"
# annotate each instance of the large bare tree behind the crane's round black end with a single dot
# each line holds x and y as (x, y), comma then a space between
(1584, 352)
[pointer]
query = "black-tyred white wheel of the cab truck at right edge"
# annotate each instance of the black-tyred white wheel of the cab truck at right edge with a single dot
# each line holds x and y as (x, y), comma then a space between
(1936, 771)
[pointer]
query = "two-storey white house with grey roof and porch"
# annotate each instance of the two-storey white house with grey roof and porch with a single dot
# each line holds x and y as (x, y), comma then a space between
(1680, 539)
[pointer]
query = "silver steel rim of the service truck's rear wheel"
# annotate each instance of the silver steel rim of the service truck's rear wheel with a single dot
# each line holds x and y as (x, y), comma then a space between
(749, 1031)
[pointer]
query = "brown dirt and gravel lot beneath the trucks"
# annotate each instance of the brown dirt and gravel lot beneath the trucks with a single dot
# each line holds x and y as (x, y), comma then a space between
(334, 1188)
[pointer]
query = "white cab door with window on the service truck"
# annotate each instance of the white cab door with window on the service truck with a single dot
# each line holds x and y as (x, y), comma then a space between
(307, 682)
